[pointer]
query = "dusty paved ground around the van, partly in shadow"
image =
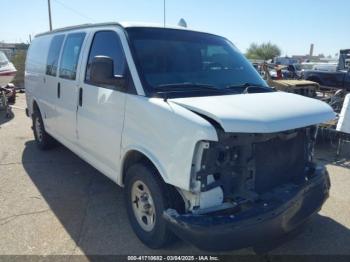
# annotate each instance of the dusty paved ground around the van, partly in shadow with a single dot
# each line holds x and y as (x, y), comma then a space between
(54, 203)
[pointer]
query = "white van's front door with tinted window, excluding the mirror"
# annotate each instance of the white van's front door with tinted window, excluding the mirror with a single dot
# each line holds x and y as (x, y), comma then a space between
(100, 115)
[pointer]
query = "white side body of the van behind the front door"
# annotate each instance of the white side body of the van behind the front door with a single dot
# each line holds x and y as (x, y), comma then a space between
(59, 116)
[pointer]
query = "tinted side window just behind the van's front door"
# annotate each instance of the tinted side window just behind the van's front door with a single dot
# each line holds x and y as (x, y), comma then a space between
(70, 55)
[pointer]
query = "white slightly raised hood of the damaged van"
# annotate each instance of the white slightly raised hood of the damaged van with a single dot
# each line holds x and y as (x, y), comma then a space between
(259, 113)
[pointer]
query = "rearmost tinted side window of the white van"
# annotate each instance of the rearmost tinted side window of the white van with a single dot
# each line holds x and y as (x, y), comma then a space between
(54, 54)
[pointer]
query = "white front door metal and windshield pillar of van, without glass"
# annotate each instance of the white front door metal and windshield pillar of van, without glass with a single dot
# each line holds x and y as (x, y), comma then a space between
(100, 119)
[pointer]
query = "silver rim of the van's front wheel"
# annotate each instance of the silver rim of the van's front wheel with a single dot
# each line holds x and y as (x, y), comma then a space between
(143, 206)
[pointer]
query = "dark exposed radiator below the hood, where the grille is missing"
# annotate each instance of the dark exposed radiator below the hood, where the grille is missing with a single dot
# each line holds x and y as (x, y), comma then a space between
(279, 161)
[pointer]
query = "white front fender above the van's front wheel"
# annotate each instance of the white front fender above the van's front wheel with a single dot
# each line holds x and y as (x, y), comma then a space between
(168, 138)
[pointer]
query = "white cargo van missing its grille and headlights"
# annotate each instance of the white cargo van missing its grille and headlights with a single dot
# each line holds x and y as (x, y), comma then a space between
(204, 149)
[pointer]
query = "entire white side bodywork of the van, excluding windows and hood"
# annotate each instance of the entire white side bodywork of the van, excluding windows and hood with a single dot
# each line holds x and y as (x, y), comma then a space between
(93, 132)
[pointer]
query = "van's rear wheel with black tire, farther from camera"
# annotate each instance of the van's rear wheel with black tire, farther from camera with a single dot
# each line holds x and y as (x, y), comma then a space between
(43, 140)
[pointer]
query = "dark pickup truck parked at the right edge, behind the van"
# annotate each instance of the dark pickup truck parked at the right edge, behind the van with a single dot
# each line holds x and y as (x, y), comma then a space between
(340, 79)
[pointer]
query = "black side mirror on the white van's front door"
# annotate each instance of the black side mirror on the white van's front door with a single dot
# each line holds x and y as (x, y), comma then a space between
(102, 73)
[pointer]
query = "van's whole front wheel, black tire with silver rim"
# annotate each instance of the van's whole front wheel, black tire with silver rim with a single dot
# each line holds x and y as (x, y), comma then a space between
(160, 197)
